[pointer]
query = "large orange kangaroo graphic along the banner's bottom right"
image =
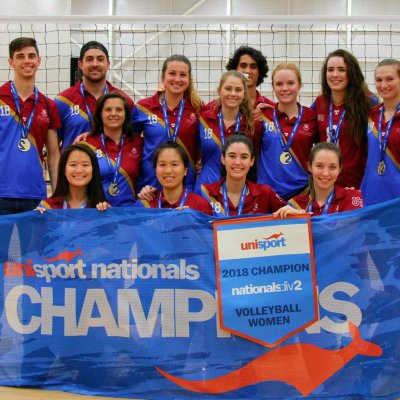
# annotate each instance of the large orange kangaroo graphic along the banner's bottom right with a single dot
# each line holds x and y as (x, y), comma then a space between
(304, 366)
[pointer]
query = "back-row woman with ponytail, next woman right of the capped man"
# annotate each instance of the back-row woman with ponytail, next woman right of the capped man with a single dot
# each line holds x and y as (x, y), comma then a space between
(171, 114)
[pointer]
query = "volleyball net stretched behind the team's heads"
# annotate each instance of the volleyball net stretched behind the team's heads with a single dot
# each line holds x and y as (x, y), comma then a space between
(137, 50)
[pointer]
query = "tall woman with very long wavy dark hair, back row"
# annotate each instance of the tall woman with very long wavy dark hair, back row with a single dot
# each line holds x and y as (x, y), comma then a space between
(342, 112)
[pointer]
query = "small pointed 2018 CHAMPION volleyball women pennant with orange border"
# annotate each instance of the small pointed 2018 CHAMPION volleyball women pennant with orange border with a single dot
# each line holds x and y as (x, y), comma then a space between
(265, 277)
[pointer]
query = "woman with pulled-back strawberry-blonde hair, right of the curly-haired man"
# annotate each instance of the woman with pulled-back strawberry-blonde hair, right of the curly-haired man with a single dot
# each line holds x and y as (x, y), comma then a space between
(289, 132)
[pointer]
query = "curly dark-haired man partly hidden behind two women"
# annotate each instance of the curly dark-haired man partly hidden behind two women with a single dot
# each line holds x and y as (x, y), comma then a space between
(254, 65)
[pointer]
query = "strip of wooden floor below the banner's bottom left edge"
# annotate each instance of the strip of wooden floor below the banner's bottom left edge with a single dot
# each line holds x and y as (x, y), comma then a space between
(7, 393)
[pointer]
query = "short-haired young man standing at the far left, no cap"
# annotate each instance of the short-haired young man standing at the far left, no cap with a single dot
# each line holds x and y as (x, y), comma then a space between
(28, 121)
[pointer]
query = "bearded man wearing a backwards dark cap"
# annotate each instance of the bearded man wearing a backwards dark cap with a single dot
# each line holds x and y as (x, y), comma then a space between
(77, 104)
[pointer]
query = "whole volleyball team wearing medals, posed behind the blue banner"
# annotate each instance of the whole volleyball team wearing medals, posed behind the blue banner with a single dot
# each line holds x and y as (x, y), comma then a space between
(239, 154)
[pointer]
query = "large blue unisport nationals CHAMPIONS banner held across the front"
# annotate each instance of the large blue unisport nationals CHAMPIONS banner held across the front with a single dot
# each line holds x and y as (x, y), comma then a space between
(124, 303)
